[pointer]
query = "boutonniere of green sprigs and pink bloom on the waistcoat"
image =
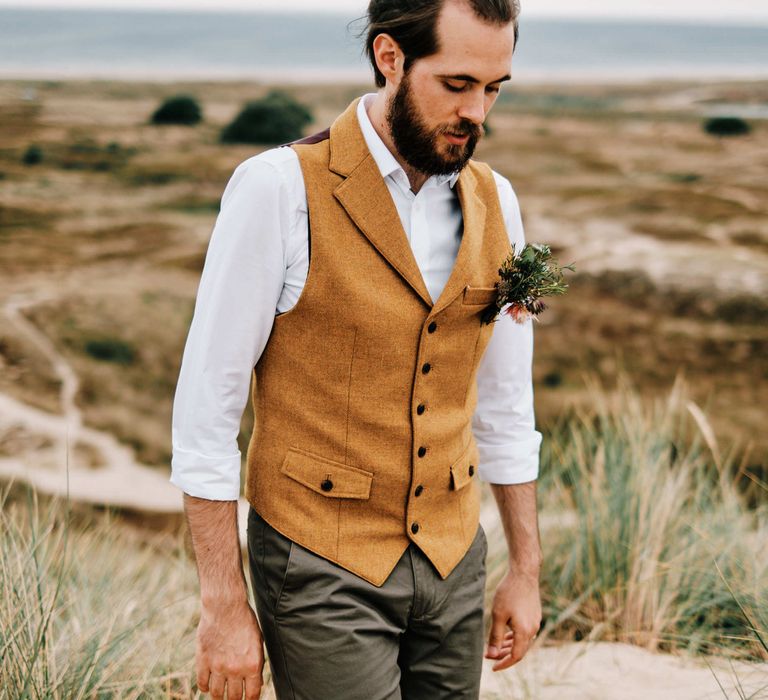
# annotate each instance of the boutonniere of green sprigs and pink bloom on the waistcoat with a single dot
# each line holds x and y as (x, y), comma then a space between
(523, 279)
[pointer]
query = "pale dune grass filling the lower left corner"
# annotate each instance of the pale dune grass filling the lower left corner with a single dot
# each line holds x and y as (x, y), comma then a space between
(90, 611)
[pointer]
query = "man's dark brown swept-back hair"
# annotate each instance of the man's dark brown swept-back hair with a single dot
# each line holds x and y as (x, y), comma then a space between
(413, 25)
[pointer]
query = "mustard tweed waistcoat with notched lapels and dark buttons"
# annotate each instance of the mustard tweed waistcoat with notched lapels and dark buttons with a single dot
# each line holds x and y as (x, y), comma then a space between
(364, 394)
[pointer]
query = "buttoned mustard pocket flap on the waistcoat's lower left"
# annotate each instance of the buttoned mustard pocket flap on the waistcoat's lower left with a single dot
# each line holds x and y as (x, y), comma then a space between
(325, 476)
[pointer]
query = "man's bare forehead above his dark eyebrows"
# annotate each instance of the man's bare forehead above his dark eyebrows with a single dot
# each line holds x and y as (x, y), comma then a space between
(470, 45)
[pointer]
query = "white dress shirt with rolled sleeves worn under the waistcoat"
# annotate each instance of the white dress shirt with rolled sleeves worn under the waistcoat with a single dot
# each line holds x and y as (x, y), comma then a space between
(255, 268)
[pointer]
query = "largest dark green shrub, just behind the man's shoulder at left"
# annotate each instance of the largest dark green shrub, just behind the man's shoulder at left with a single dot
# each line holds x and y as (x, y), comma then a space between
(276, 118)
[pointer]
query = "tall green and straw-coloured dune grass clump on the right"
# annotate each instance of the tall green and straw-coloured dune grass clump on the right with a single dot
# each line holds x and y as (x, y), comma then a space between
(665, 552)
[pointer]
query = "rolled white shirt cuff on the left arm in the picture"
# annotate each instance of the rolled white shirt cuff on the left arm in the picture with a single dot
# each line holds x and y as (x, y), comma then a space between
(213, 478)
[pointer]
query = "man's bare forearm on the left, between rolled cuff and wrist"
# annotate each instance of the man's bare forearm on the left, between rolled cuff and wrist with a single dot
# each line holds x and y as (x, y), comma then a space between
(213, 528)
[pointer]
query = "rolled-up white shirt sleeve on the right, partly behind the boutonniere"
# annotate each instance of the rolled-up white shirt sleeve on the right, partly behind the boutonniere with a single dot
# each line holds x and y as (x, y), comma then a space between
(504, 422)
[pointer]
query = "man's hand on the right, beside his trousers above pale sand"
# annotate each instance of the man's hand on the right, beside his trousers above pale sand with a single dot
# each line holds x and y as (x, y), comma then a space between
(515, 619)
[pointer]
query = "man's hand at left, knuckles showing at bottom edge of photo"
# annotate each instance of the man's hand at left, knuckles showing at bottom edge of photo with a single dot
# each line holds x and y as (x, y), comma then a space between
(229, 652)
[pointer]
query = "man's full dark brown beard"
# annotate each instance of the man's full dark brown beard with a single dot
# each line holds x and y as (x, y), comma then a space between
(419, 145)
